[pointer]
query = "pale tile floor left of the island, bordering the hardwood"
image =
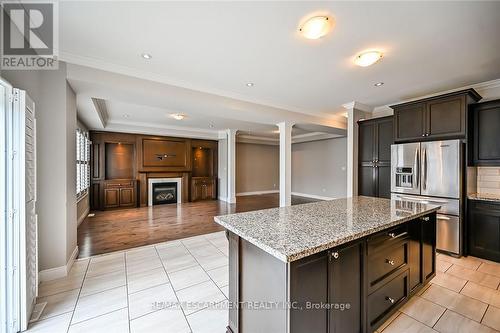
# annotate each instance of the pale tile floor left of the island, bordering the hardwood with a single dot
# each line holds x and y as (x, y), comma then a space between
(139, 290)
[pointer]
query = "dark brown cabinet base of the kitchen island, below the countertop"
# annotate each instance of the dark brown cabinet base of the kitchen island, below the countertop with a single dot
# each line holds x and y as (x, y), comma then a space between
(351, 288)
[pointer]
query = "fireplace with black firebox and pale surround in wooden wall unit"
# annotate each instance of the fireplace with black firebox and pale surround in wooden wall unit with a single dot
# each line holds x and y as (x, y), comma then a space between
(164, 191)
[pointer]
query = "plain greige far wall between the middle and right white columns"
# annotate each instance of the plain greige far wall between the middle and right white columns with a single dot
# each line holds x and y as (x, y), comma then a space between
(319, 168)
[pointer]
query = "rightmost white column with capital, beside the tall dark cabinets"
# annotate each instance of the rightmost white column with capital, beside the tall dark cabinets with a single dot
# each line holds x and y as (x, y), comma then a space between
(355, 112)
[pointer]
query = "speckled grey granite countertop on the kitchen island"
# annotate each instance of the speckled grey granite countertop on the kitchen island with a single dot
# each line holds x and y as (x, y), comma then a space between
(295, 232)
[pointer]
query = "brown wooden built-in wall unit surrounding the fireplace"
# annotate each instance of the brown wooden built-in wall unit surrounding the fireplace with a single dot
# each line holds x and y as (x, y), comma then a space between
(122, 164)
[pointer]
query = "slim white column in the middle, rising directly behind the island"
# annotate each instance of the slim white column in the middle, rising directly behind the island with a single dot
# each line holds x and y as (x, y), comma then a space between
(285, 129)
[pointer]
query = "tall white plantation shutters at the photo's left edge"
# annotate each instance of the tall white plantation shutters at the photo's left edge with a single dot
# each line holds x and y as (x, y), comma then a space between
(18, 236)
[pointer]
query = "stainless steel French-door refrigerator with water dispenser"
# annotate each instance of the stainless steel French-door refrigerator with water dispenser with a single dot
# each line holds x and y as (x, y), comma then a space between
(432, 172)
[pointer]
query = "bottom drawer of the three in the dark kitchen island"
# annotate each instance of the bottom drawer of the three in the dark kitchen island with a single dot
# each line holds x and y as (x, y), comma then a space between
(383, 302)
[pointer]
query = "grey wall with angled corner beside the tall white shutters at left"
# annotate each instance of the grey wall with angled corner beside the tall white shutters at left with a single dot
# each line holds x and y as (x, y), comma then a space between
(56, 154)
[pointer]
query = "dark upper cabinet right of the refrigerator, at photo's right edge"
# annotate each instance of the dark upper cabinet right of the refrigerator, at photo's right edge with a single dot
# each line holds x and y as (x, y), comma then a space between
(486, 146)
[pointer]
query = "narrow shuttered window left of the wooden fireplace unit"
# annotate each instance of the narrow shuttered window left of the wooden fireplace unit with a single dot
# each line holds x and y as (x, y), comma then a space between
(82, 162)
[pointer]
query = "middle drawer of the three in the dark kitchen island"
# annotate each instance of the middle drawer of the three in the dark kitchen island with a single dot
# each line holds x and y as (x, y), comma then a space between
(385, 262)
